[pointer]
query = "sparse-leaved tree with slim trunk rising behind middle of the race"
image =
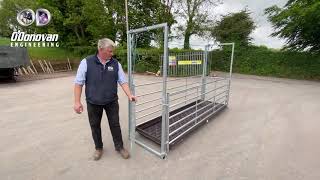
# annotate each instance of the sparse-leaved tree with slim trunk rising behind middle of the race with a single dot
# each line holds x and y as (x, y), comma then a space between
(195, 16)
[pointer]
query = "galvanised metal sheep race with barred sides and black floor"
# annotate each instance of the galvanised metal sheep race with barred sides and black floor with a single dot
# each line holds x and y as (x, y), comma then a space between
(184, 96)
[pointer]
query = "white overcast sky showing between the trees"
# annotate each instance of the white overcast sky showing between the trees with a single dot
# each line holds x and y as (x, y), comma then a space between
(261, 35)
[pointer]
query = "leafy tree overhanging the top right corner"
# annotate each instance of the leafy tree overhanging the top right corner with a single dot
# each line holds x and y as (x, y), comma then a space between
(298, 23)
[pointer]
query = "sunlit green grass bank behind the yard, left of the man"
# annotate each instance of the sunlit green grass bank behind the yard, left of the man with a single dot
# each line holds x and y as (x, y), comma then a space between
(38, 53)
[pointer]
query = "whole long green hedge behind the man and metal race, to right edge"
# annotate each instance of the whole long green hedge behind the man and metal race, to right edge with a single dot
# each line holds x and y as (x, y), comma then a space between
(254, 60)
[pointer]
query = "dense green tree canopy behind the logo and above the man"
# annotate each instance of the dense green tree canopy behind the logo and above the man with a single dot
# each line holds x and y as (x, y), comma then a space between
(82, 22)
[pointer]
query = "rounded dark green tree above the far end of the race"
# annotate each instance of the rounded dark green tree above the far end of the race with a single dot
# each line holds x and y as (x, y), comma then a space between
(234, 27)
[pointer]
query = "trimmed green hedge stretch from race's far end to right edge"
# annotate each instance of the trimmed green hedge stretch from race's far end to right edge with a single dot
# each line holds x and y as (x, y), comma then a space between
(266, 62)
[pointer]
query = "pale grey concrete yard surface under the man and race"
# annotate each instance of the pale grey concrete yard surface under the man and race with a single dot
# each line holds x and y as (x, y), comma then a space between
(270, 131)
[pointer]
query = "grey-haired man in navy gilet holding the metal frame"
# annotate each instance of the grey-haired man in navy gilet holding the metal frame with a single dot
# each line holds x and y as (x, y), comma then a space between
(101, 74)
